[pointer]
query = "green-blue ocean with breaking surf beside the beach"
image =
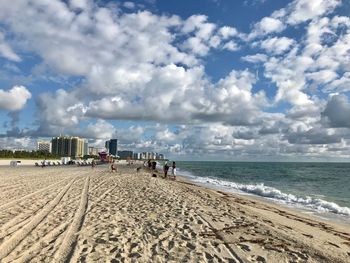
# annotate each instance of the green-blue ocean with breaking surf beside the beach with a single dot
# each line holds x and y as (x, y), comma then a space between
(322, 189)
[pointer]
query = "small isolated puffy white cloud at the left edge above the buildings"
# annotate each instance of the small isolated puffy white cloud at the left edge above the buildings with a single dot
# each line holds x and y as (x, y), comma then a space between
(14, 99)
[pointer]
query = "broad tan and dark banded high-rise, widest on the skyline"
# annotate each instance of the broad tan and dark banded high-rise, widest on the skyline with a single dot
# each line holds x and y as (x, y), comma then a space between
(68, 146)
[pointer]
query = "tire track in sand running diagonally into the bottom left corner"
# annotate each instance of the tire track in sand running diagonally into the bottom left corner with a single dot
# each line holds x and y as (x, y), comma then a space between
(8, 245)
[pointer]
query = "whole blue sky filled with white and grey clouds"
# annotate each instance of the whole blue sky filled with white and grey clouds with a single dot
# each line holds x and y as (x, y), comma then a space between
(250, 80)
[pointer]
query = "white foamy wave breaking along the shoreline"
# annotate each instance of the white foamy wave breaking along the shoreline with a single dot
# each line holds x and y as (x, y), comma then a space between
(270, 192)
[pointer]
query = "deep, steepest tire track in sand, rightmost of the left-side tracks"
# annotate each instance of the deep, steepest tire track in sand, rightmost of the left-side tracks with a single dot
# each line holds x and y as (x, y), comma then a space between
(68, 244)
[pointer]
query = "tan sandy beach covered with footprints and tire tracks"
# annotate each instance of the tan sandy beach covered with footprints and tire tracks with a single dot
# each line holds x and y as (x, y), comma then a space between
(76, 214)
